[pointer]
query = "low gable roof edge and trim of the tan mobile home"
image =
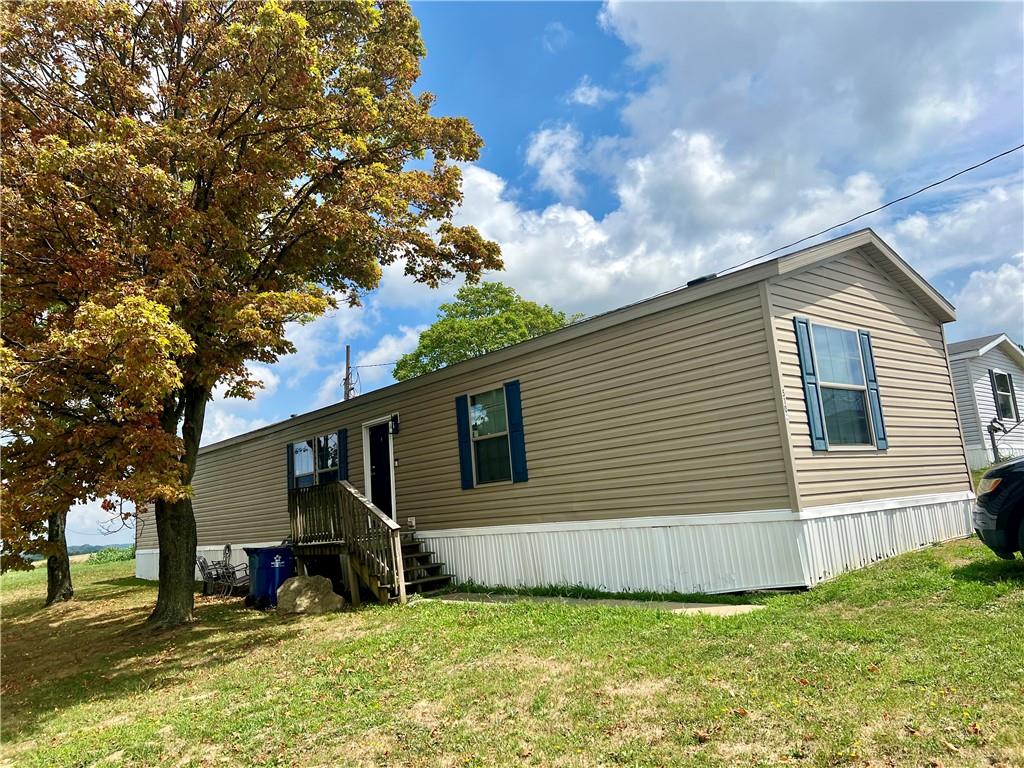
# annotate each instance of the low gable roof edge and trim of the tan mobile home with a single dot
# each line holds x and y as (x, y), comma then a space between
(865, 242)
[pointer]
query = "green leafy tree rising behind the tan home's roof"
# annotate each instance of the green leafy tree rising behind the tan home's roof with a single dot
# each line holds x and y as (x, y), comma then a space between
(483, 318)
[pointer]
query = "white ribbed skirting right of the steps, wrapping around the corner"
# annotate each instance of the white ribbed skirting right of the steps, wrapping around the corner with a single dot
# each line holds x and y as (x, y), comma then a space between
(702, 553)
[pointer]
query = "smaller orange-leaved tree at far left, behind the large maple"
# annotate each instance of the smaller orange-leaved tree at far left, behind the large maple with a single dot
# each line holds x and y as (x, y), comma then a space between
(82, 389)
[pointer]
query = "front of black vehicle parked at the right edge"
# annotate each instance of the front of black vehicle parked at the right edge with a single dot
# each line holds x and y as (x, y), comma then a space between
(999, 515)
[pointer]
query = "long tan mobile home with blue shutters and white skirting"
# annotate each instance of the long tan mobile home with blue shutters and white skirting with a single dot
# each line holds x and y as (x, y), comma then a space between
(769, 428)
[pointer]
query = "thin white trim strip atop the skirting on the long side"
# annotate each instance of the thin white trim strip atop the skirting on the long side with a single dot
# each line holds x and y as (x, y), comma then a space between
(618, 524)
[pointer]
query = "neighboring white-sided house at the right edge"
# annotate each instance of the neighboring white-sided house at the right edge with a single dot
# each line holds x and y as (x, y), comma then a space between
(989, 377)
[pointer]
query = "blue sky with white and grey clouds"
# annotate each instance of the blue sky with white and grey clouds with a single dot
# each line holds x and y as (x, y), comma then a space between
(631, 147)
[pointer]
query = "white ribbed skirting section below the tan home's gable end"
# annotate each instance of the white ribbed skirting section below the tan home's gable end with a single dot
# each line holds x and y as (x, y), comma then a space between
(837, 543)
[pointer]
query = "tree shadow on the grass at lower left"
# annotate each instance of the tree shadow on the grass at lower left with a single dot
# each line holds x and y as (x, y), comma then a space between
(87, 651)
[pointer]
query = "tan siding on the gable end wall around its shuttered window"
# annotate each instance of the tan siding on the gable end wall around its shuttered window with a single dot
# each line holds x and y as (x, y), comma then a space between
(926, 454)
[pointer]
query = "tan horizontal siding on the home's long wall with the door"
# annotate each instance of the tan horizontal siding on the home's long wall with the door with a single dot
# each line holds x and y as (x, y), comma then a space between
(671, 413)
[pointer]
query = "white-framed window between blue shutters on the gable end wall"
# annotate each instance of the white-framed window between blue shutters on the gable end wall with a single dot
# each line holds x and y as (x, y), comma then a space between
(844, 391)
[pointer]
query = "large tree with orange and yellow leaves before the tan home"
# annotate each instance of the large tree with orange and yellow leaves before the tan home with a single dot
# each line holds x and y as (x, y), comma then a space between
(244, 164)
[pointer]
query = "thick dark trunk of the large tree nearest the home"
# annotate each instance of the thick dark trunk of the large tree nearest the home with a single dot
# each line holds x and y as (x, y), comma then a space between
(176, 522)
